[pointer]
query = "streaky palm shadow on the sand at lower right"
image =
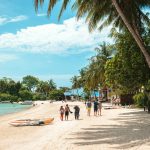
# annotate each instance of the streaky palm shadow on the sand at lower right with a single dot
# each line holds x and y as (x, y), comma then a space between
(134, 130)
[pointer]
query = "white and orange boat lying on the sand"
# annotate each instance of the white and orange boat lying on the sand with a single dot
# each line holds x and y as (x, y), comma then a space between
(31, 122)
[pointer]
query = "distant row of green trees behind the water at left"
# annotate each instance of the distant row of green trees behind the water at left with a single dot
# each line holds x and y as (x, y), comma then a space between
(31, 88)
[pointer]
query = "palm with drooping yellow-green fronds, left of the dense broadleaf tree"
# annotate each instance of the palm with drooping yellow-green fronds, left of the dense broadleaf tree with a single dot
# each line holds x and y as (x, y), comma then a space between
(93, 75)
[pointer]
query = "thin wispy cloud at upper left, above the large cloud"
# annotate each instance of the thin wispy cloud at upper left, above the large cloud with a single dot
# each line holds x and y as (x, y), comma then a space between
(5, 20)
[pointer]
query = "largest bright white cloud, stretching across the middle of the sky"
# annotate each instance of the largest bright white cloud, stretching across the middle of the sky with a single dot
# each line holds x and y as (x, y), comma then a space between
(67, 38)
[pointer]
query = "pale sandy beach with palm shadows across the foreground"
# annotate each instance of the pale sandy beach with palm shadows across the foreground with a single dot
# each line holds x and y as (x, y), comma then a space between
(116, 129)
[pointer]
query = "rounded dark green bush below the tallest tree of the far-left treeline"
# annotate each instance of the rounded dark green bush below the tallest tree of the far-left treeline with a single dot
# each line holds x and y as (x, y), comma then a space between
(25, 95)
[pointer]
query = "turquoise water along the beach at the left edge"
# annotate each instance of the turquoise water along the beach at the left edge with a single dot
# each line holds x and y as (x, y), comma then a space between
(11, 108)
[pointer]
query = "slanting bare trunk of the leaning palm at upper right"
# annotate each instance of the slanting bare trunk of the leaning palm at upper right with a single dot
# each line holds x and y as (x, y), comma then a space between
(133, 33)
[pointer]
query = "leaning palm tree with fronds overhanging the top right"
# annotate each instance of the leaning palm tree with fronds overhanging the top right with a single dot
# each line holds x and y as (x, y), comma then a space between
(121, 13)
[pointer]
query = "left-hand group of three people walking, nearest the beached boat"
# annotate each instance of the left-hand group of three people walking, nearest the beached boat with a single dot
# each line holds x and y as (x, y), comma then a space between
(65, 111)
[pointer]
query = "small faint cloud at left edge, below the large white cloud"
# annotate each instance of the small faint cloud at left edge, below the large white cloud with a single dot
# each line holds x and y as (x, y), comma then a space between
(7, 57)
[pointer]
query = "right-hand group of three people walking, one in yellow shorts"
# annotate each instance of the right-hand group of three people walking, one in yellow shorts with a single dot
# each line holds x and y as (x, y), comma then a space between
(97, 107)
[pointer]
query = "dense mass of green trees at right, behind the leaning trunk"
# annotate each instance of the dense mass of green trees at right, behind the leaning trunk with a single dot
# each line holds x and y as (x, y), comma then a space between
(120, 67)
